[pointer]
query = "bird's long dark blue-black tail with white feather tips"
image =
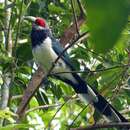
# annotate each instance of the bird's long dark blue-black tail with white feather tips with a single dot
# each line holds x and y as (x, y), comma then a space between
(90, 95)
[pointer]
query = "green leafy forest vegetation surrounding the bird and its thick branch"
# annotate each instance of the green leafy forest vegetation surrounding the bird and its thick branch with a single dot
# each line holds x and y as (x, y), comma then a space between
(102, 59)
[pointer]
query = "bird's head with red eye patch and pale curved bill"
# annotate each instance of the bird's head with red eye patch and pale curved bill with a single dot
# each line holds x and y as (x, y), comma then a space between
(37, 22)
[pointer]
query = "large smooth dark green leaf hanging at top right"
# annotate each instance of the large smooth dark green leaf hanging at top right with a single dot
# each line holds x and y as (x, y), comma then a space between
(106, 20)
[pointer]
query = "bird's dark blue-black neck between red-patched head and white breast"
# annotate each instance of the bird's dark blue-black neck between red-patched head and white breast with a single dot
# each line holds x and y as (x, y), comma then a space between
(38, 36)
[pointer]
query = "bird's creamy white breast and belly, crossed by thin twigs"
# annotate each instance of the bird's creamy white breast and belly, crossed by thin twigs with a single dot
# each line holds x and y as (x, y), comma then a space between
(46, 56)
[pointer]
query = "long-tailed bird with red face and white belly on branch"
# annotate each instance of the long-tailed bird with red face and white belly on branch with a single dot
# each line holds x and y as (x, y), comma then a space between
(46, 49)
